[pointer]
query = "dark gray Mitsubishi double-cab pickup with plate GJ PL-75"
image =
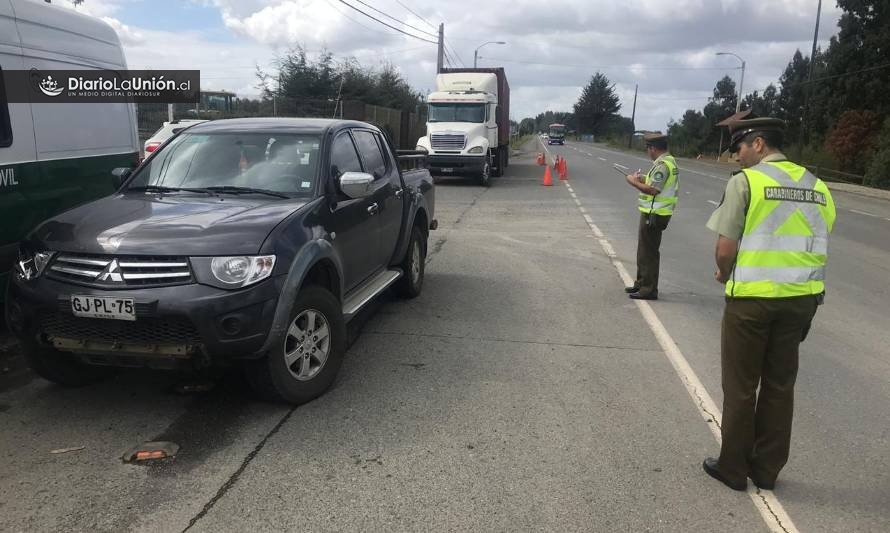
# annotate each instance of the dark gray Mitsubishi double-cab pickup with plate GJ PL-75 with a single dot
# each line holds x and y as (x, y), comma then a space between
(245, 241)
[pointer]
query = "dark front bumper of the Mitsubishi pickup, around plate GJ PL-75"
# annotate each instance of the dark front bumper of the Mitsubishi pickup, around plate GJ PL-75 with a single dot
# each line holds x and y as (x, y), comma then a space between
(185, 322)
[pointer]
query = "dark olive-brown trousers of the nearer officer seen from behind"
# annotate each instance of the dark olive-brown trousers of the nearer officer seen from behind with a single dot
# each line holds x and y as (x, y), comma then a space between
(759, 346)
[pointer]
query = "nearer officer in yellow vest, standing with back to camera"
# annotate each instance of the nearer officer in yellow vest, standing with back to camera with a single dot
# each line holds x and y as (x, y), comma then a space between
(773, 227)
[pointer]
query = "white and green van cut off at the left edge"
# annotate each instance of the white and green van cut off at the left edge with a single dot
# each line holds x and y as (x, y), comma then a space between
(56, 155)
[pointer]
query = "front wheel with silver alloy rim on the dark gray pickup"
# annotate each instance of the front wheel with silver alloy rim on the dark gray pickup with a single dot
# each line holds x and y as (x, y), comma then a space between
(306, 360)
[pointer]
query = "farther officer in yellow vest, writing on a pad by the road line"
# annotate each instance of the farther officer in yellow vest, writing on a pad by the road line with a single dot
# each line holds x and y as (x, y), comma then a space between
(659, 189)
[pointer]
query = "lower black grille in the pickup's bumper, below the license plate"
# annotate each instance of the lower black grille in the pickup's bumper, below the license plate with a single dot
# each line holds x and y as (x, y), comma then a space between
(143, 331)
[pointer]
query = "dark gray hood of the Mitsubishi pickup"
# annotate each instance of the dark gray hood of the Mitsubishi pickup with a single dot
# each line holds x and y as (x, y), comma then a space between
(149, 224)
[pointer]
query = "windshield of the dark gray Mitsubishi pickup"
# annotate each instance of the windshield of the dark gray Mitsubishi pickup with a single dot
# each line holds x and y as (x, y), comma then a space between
(273, 162)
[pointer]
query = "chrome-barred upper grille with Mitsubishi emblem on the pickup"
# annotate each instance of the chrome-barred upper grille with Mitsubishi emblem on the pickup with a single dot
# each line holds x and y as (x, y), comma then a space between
(120, 272)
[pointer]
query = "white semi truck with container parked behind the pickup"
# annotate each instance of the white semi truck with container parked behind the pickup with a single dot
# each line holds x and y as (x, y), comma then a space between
(468, 128)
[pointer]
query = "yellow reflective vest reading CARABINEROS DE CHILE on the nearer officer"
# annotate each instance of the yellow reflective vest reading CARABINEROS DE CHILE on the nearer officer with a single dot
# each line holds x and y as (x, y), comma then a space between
(784, 247)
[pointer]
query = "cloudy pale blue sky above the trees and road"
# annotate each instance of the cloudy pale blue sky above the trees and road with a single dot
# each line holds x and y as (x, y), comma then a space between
(552, 48)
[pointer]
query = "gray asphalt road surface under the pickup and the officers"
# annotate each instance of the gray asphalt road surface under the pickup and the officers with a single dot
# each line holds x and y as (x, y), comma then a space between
(521, 391)
